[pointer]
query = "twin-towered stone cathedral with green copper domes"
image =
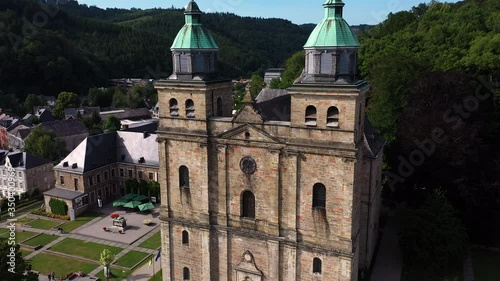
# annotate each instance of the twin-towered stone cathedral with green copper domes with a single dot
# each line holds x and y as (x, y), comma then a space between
(287, 188)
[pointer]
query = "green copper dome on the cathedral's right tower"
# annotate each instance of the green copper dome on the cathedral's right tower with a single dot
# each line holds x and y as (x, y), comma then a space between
(333, 30)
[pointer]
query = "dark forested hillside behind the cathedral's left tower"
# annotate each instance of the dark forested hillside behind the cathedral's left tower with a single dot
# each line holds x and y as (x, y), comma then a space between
(78, 47)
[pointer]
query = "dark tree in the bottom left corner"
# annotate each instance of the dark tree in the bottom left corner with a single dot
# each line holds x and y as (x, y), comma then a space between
(12, 265)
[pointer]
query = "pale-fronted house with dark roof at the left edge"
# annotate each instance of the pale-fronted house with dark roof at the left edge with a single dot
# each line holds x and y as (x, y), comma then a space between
(30, 172)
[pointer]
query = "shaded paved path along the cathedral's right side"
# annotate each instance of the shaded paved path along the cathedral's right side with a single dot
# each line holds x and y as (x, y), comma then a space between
(388, 263)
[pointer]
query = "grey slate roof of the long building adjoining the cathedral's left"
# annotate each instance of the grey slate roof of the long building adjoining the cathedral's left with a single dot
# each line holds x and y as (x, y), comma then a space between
(104, 149)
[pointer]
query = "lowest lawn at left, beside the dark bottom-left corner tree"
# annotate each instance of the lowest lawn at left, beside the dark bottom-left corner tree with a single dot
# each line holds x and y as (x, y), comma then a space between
(46, 263)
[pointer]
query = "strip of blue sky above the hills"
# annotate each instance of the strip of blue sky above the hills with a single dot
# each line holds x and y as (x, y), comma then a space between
(297, 11)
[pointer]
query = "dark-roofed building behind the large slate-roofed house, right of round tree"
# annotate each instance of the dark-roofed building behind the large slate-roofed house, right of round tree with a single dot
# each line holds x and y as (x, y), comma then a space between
(72, 131)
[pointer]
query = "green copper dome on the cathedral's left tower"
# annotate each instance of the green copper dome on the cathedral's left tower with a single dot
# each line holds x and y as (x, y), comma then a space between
(192, 35)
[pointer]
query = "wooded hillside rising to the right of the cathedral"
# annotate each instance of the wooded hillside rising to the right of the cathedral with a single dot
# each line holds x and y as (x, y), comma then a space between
(435, 76)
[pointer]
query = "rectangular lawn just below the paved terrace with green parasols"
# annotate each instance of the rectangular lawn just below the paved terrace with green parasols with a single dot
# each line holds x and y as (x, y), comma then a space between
(84, 249)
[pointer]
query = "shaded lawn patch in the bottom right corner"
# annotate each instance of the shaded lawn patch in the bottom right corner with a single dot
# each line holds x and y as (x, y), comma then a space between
(486, 265)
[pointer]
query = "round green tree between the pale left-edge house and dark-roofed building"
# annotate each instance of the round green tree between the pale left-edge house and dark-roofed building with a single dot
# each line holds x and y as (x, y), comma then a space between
(44, 144)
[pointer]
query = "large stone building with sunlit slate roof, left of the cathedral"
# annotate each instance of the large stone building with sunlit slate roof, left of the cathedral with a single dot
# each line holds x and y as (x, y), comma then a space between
(99, 167)
